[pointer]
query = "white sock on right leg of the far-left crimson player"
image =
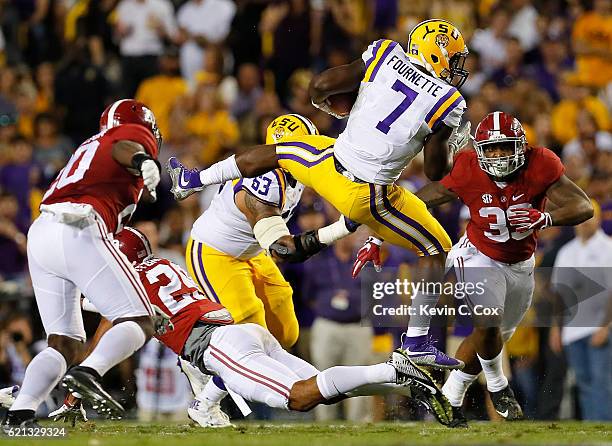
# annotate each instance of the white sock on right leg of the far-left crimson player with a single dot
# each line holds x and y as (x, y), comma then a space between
(117, 344)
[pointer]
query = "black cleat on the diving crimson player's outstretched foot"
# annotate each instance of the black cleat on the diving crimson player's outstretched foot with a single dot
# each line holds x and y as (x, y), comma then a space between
(423, 388)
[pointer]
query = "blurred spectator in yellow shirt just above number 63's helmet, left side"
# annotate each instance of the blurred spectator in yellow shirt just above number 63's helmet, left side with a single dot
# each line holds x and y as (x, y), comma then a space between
(211, 123)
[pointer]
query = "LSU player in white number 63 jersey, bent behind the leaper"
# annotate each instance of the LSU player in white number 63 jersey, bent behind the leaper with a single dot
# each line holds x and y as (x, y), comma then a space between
(226, 252)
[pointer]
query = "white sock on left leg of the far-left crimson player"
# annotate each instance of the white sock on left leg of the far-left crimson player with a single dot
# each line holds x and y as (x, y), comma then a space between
(42, 375)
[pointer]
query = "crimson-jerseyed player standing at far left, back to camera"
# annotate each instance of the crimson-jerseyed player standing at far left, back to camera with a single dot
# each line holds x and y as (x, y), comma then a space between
(70, 251)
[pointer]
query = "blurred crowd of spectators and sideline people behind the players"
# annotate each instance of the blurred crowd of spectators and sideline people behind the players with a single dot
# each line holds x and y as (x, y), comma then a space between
(215, 72)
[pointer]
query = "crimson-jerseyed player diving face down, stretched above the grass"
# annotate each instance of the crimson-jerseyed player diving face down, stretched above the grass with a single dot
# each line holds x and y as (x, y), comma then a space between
(248, 359)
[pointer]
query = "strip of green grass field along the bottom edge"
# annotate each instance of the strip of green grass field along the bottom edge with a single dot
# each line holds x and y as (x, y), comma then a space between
(245, 434)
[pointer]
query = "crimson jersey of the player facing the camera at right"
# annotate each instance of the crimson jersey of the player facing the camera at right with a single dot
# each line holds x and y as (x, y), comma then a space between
(488, 201)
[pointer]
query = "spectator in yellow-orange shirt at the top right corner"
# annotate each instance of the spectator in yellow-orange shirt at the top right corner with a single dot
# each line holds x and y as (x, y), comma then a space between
(592, 42)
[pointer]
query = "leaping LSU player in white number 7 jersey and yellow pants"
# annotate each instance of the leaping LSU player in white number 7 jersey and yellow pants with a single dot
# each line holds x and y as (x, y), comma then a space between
(407, 101)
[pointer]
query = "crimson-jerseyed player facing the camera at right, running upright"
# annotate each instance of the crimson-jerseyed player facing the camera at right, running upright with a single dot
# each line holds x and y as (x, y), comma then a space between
(505, 183)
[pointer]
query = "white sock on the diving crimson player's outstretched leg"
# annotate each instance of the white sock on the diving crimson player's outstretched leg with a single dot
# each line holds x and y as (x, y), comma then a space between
(340, 380)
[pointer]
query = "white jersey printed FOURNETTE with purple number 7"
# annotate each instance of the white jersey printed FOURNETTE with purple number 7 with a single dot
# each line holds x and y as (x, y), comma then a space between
(398, 106)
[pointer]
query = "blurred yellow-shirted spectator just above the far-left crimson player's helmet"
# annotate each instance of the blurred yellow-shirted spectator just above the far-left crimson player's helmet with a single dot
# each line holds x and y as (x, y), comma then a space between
(162, 91)
